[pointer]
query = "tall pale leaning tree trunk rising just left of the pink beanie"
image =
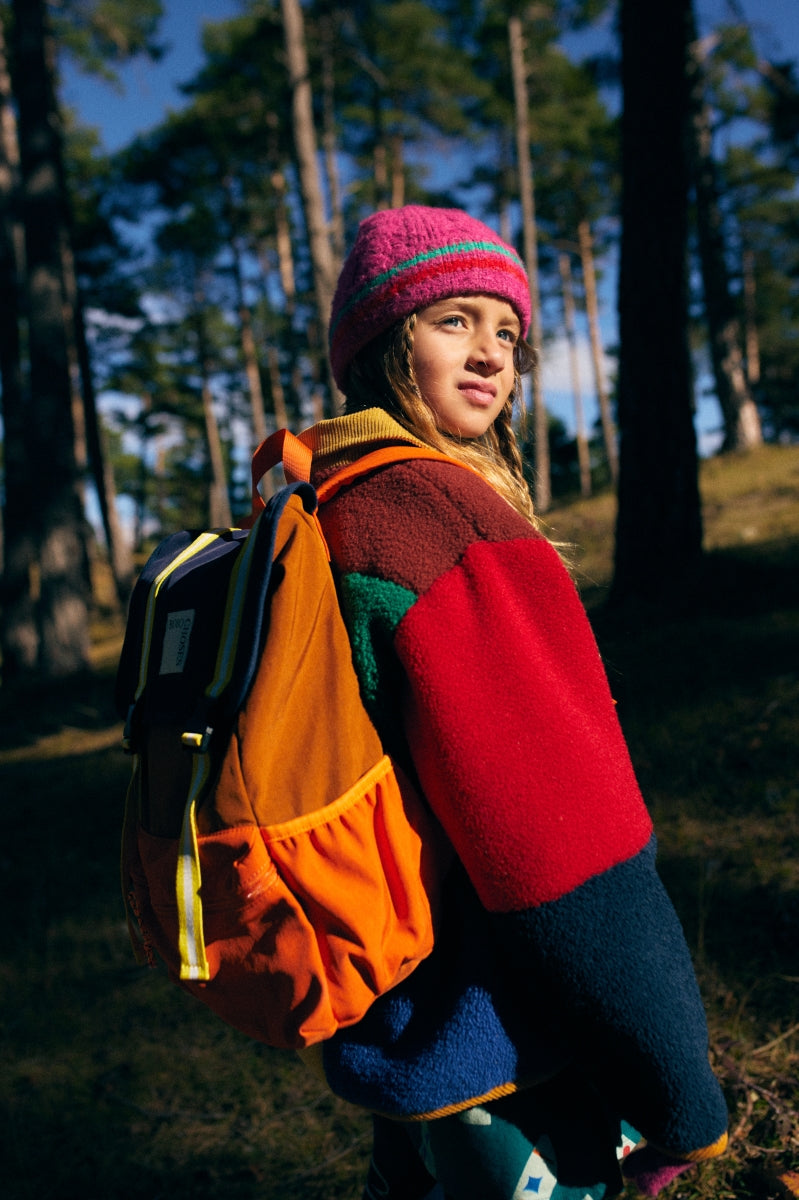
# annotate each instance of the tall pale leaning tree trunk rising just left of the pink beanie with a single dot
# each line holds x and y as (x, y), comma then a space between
(305, 141)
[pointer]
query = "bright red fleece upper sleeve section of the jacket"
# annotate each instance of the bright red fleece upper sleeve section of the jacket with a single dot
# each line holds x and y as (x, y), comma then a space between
(513, 728)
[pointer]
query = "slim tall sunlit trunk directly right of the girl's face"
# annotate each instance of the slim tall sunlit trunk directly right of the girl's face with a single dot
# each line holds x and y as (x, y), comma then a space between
(521, 101)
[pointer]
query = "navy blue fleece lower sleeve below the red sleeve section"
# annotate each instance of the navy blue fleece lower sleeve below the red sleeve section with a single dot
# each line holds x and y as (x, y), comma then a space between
(616, 950)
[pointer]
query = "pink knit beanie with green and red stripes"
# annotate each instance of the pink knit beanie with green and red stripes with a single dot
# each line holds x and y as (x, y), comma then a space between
(405, 260)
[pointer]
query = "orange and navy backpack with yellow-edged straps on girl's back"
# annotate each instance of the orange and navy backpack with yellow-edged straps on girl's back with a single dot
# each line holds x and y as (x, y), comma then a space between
(274, 857)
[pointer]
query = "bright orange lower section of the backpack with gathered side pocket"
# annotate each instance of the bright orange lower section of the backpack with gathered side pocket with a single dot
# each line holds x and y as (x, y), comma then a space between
(308, 922)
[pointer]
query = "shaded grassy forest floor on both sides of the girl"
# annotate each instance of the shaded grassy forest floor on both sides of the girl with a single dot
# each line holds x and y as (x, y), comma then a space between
(117, 1087)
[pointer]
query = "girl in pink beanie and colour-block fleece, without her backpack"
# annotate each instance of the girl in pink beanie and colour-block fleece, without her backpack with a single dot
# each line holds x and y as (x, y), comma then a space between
(560, 1003)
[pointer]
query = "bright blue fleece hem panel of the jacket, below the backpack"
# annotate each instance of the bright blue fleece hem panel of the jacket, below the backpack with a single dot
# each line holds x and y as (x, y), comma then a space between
(452, 1031)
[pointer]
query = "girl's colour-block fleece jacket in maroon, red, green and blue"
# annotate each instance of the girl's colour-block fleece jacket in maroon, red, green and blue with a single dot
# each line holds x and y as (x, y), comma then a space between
(557, 943)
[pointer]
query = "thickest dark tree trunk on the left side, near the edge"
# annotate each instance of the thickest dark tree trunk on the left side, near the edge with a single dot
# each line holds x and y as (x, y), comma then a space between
(57, 518)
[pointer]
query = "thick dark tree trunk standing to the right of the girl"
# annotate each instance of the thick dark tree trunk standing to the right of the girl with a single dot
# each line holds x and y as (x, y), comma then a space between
(659, 524)
